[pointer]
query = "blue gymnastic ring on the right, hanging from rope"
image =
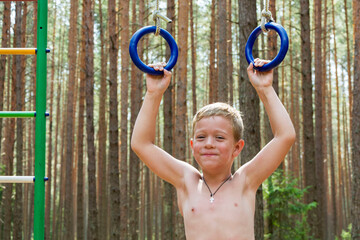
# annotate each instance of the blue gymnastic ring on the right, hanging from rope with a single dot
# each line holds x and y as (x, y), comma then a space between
(283, 48)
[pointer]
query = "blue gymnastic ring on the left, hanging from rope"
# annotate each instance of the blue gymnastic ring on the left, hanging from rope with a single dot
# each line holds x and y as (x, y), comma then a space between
(135, 57)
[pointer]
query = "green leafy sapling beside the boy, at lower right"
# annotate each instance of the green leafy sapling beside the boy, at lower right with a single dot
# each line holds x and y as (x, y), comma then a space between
(286, 212)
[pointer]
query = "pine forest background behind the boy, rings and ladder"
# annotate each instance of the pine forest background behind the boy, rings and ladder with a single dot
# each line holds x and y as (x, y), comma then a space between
(98, 188)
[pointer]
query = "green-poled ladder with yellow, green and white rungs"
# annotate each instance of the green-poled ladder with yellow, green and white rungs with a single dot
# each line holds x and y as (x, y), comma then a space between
(40, 118)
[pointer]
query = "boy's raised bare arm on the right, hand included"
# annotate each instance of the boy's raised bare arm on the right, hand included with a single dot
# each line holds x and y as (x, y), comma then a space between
(270, 157)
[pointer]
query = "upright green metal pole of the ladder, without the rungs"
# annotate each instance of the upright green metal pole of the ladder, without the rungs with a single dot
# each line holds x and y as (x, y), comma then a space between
(40, 123)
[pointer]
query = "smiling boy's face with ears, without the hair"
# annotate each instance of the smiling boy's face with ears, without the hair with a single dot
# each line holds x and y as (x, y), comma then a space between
(213, 145)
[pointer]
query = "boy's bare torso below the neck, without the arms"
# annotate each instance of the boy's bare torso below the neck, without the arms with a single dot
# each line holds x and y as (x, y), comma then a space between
(229, 216)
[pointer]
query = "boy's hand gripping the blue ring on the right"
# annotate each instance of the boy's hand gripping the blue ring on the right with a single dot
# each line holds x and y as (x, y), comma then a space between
(260, 79)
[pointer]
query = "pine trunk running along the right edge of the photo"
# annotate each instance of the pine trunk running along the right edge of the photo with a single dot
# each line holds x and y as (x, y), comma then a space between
(355, 128)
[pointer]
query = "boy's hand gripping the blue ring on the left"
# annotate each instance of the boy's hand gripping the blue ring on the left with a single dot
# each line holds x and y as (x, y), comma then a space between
(158, 83)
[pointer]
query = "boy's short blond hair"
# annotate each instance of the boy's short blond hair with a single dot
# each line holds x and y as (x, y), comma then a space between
(223, 110)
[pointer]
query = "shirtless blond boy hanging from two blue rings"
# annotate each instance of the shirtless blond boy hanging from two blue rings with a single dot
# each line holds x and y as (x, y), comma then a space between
(216, 204)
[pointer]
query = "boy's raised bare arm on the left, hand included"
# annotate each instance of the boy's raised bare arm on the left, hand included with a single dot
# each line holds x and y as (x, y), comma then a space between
(143, 136)
